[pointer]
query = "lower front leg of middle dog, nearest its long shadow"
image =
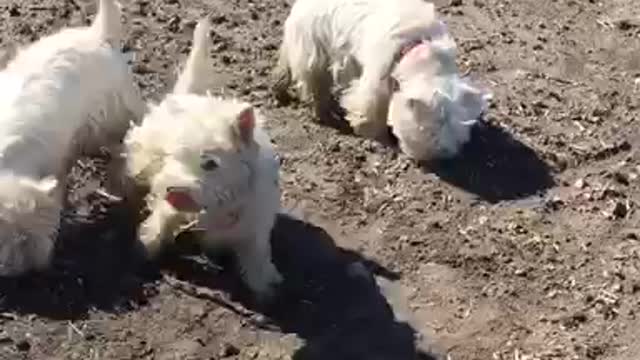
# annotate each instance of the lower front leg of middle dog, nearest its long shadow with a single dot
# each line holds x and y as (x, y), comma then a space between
(258, 271)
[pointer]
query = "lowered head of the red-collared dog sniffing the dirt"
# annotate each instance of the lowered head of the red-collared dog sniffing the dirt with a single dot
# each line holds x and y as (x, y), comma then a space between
(432, 109)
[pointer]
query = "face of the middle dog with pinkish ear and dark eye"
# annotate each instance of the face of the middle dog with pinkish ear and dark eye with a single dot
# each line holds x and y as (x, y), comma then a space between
(214, 157)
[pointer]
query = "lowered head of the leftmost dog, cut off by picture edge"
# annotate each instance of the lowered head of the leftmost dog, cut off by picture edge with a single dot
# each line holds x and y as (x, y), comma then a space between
(29, 219)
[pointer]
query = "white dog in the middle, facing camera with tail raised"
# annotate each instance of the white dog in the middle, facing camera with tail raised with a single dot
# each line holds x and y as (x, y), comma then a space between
(207, 160)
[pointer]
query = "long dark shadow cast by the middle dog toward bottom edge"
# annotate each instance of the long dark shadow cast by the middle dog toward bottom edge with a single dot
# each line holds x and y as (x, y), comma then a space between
(329, 298)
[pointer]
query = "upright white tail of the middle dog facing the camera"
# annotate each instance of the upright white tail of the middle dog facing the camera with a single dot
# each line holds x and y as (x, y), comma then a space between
(193, 78)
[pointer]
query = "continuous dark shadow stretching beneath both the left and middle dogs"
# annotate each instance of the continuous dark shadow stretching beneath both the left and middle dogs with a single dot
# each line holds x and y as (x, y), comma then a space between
(330, 298)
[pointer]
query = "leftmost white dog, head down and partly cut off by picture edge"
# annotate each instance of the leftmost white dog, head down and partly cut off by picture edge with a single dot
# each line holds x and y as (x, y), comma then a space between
(67, 91)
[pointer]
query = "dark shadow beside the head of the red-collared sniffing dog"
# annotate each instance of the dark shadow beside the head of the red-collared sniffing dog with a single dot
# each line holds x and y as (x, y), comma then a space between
(495, 166)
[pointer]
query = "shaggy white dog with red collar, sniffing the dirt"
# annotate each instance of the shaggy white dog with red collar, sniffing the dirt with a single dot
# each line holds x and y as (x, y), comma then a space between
(394, 62)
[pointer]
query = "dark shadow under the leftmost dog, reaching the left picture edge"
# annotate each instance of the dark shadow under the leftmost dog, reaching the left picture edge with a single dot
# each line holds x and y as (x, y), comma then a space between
(95, 265)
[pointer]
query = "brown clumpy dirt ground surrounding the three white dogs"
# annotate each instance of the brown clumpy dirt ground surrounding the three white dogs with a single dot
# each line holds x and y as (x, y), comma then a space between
(525, 247)
